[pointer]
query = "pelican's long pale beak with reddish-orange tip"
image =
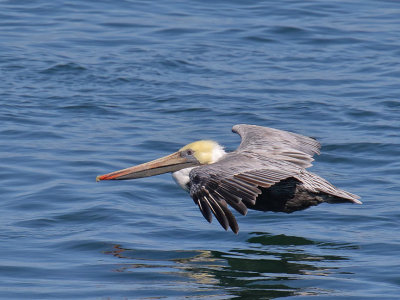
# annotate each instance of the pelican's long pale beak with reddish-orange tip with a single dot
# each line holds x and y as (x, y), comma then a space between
(170, 163)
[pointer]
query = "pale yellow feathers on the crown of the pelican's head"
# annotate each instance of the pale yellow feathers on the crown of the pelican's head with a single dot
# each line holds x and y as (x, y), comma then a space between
(205, 151)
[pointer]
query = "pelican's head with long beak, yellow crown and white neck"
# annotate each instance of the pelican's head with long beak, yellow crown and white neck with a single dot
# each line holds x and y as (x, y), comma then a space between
(180, 163)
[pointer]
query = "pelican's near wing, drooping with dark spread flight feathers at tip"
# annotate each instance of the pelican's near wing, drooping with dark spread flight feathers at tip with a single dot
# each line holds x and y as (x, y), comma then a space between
(235, 180)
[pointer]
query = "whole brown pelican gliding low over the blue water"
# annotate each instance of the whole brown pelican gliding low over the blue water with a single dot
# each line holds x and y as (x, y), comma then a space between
(266, 172)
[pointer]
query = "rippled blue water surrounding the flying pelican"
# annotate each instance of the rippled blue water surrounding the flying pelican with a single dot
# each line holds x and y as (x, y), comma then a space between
(88, 87)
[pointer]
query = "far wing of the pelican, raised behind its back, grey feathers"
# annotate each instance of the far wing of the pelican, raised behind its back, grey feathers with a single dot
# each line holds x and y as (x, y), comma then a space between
(278, 144)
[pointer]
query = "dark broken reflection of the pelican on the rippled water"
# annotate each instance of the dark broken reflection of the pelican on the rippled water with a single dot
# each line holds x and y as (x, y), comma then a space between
(271, 266)
